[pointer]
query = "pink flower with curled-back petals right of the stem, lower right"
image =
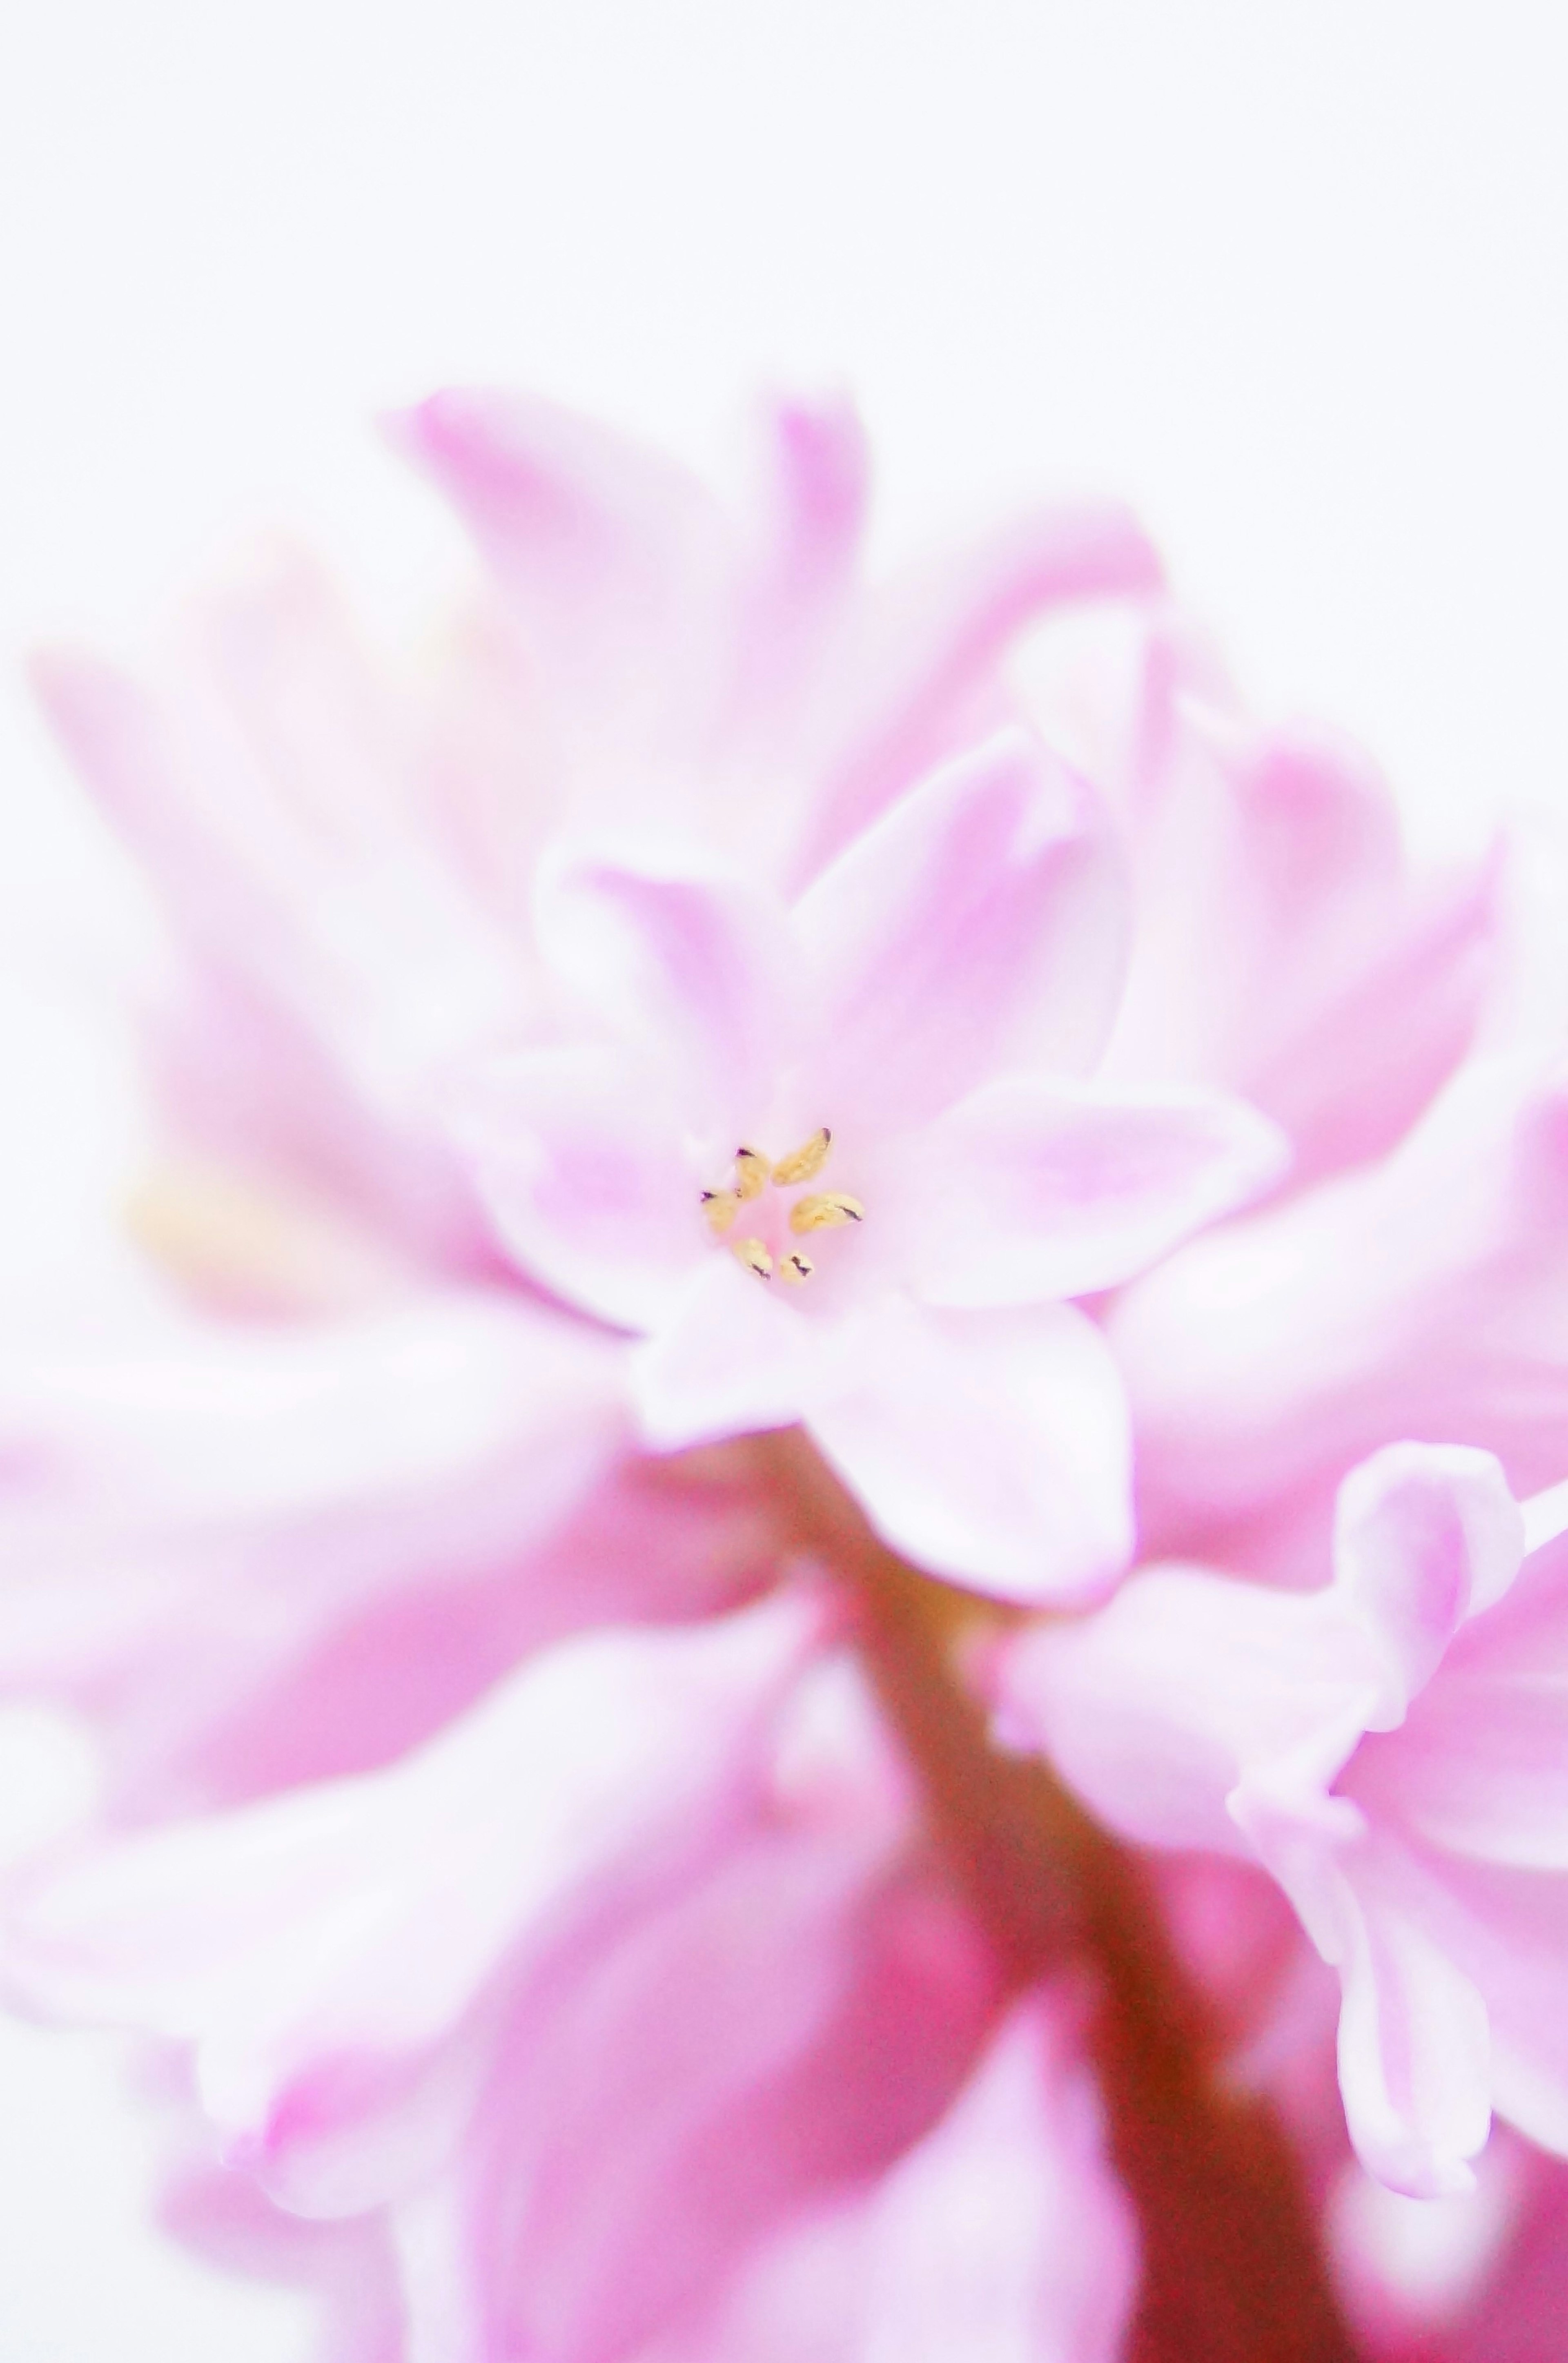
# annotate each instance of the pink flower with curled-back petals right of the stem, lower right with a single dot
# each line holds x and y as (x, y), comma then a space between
(1392, 1752)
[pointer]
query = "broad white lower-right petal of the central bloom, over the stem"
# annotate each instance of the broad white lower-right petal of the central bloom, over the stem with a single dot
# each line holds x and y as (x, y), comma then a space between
(988, 1447)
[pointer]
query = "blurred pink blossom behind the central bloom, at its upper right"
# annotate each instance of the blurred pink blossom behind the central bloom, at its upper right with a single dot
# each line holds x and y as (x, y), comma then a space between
(1283, 939)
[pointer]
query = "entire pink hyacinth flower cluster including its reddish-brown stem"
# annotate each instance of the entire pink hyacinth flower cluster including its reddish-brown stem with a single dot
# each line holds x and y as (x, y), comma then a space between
(816, 1549)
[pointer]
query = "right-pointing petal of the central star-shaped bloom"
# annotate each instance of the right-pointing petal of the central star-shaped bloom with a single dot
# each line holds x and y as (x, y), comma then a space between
(1043, 1190)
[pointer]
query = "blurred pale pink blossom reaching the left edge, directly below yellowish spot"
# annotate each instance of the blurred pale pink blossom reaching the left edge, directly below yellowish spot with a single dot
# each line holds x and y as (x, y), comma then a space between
(285, 1551)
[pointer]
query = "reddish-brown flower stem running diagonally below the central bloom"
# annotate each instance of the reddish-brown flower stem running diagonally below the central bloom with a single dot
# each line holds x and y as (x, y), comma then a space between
(1231, 2258)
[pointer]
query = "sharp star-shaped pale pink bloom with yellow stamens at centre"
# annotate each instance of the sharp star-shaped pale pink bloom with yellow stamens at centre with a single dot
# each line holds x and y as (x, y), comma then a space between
(837, 1161)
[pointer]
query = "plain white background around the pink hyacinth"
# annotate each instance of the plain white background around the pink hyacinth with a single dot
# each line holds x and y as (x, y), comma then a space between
(1288, 273)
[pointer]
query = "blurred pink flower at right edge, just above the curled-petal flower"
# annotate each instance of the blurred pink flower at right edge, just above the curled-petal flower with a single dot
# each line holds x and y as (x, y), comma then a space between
(1420, 1294)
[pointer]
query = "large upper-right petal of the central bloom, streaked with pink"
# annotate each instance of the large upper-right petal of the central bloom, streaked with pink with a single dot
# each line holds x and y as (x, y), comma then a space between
(972, 930)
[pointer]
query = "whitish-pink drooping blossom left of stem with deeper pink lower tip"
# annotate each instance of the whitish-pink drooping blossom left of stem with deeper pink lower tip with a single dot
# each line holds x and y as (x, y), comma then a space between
(325, 1951)
